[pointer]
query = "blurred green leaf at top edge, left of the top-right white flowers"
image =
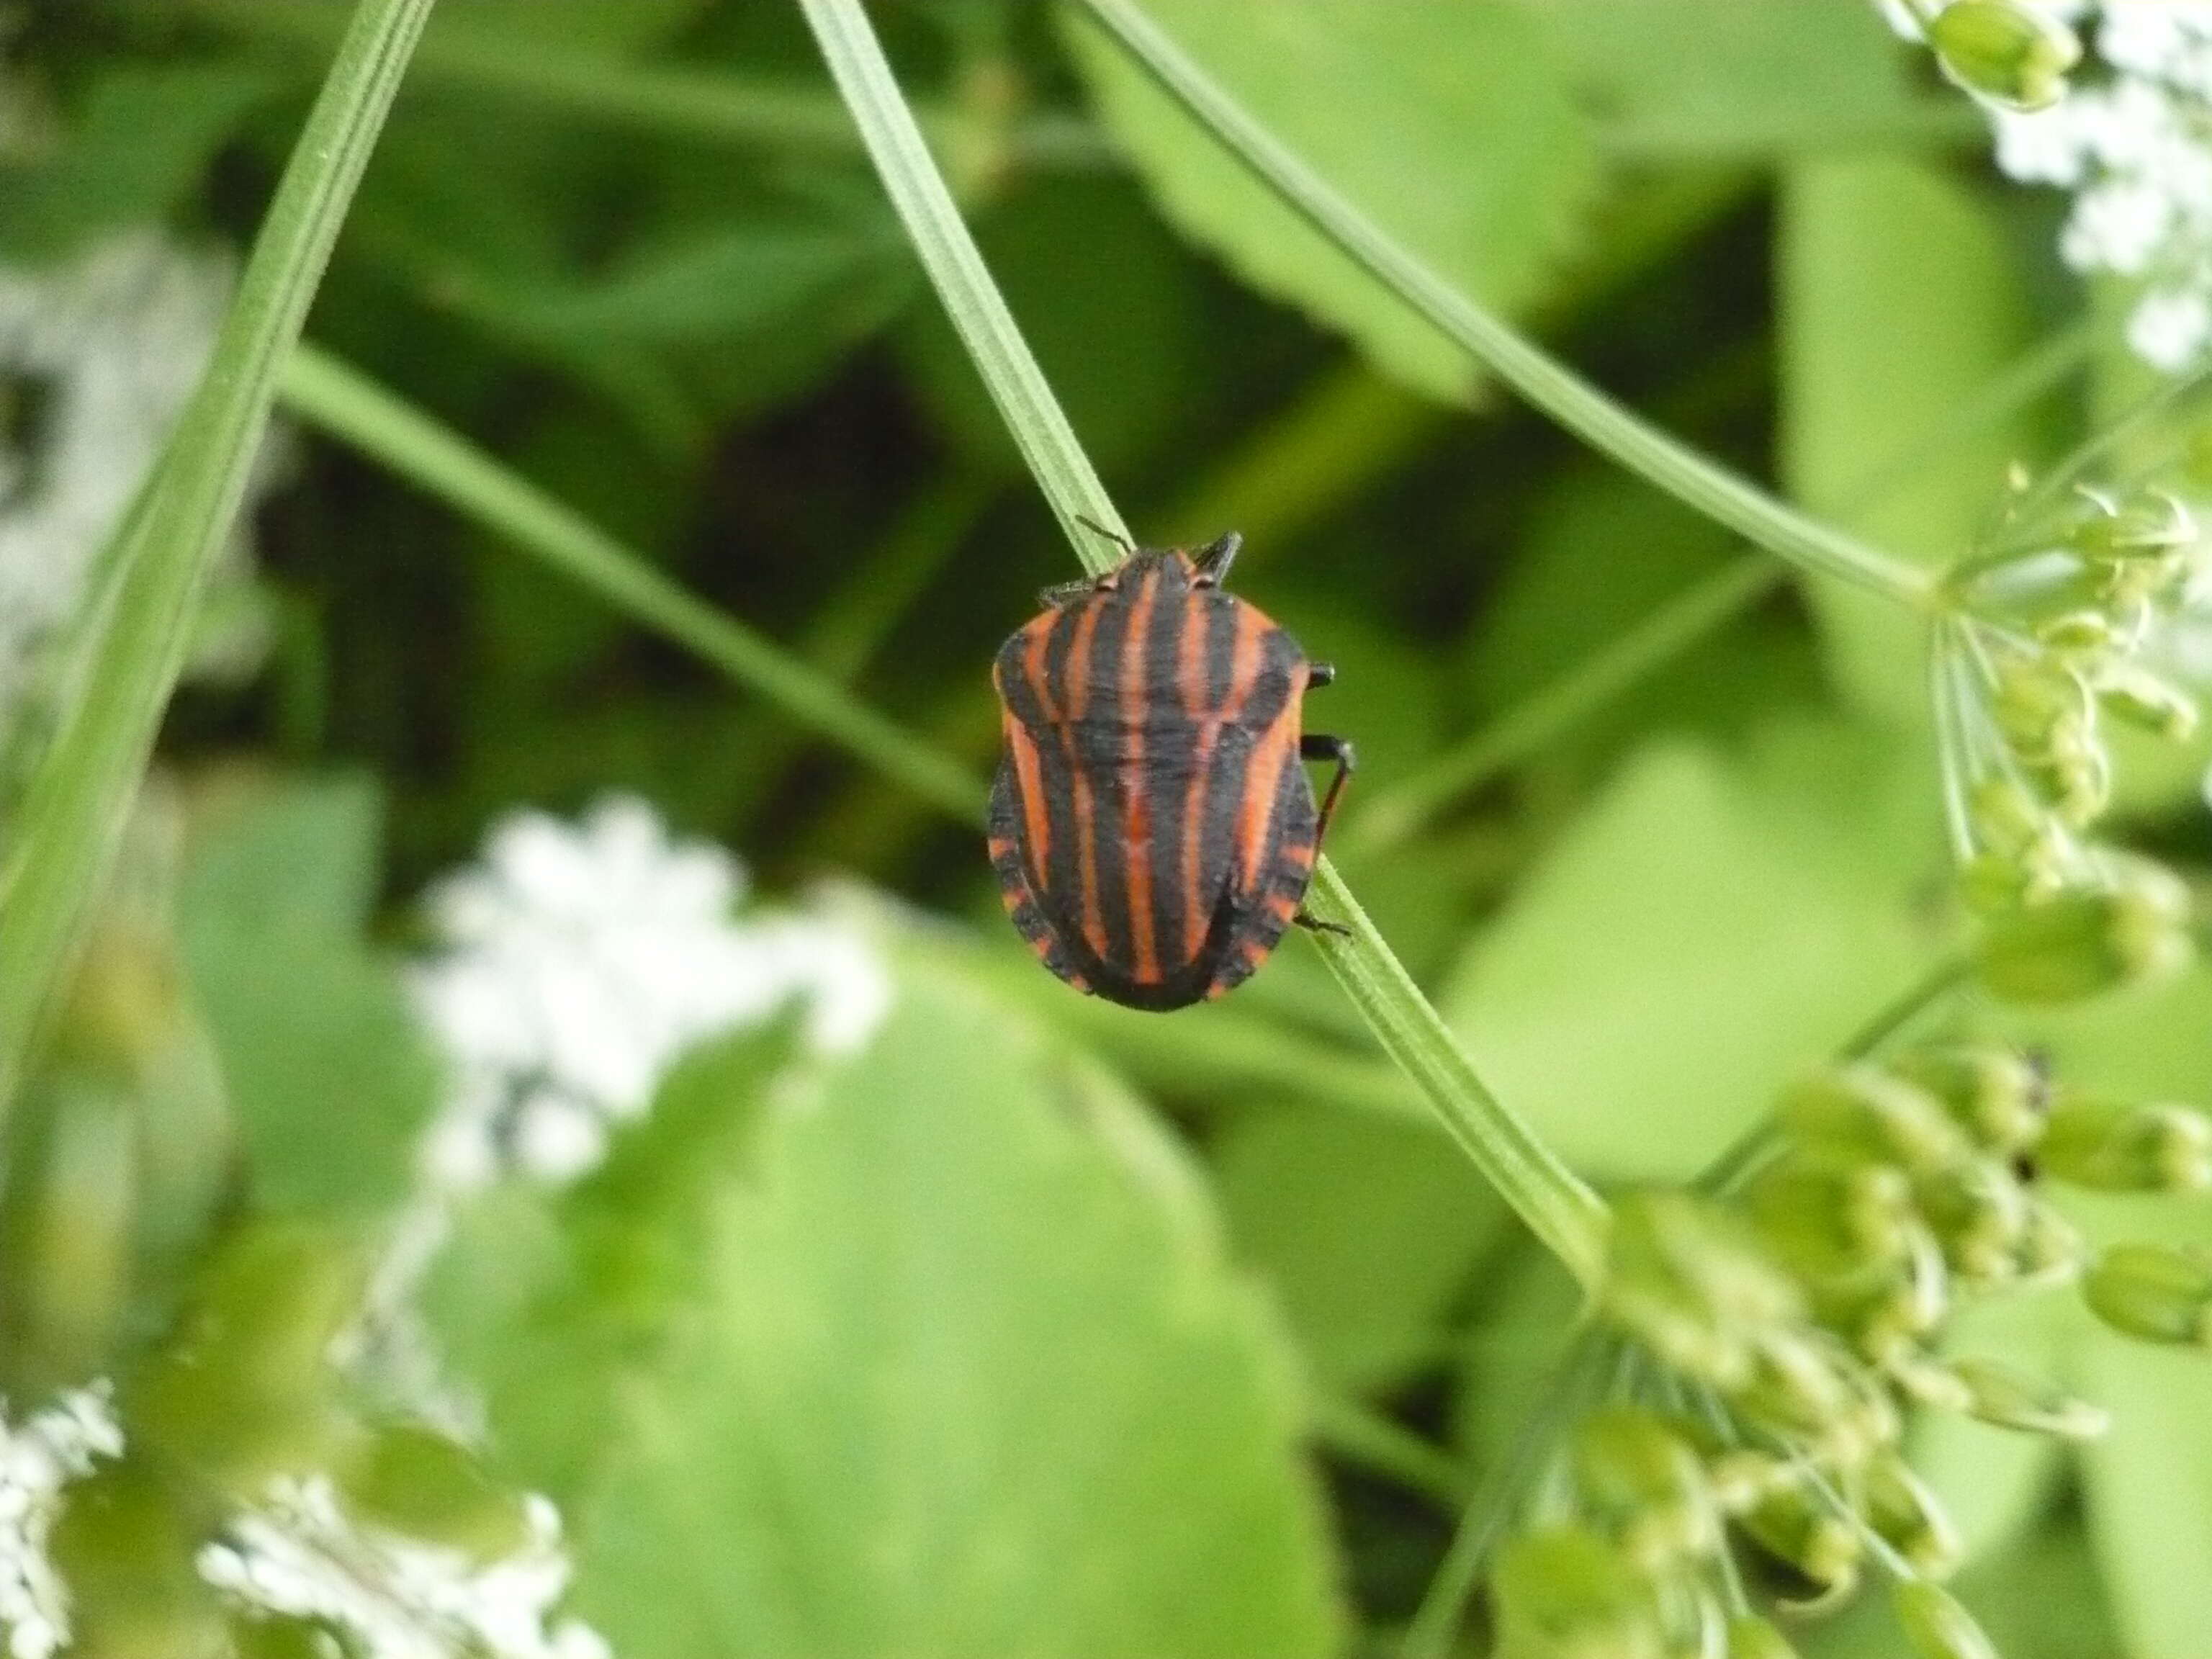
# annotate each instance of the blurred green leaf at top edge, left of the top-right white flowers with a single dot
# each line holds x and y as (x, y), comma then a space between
(1762, 74)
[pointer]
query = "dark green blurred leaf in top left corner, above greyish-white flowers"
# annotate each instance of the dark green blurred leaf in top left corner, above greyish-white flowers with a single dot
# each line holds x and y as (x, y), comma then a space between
(138, 143)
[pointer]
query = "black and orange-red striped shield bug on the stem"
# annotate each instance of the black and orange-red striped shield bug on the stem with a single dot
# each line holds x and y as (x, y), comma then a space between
(1154, 828)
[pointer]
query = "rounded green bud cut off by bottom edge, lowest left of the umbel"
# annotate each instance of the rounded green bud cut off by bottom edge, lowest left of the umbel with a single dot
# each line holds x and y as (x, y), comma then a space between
(1565, 1594)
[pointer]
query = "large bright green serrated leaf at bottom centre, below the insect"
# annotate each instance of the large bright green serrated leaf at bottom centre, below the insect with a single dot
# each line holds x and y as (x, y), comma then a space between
(952, 1379)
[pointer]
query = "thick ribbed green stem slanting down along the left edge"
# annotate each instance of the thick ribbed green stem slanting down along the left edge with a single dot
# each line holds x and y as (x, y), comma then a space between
(136, 636)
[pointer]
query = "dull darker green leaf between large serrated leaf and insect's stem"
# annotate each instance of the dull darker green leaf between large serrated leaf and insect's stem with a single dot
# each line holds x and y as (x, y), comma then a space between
(1368, 1231)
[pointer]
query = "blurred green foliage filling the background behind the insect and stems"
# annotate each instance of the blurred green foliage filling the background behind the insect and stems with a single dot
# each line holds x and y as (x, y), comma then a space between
(1014, 1333)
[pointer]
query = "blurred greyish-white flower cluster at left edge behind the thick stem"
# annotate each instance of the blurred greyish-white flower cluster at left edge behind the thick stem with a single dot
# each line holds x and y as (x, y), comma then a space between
(98, 357)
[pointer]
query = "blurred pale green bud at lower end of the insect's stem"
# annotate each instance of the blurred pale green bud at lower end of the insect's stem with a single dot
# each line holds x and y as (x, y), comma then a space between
(1689, 1284)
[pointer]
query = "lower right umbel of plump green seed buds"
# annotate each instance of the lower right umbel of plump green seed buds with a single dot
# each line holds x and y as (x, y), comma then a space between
(1768, 1342)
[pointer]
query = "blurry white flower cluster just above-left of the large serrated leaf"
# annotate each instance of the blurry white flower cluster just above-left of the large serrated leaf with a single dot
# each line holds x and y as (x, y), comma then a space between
(581, 963)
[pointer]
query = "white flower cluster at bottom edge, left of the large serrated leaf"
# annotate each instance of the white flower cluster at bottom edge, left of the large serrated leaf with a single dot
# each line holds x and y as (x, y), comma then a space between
(304, 1556)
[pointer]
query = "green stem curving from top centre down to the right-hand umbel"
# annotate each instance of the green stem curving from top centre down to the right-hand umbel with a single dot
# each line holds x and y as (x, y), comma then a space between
(1503, 351)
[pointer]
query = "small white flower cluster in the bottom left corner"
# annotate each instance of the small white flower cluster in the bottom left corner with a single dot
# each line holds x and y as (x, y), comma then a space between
(36, 1461)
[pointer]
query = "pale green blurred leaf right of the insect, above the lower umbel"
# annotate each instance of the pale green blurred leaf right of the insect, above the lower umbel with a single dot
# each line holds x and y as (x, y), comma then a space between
(1700, 937)
